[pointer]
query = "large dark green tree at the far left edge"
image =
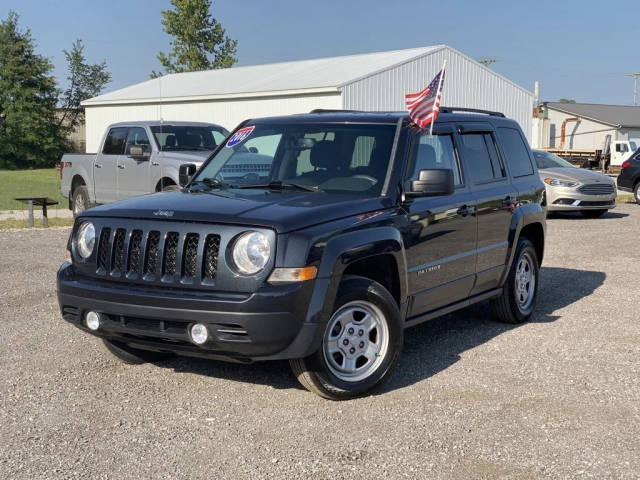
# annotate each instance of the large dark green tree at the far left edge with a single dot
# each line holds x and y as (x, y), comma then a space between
(29, 132)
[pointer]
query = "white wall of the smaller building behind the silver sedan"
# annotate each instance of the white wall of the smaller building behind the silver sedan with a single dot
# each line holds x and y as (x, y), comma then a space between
(585, 135)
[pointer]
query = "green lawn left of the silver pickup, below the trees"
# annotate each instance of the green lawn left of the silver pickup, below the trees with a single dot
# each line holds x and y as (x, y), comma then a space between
(30, 183)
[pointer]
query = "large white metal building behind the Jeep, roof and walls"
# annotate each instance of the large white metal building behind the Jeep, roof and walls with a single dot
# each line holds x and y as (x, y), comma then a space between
(374, 81)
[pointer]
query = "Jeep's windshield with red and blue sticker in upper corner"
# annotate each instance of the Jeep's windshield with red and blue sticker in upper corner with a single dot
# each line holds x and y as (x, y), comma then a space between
(343, 158)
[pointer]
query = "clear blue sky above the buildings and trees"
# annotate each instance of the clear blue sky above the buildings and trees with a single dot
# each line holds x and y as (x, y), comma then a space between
(576, 49)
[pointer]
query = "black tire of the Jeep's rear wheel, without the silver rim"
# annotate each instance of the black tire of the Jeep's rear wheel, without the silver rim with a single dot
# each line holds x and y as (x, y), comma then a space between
(507, 308)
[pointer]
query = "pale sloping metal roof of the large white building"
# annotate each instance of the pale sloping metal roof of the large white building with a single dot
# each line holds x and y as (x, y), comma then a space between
(320, 75)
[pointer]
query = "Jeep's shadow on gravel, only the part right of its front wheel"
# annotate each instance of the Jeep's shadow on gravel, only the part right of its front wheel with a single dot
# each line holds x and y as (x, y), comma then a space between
(434, 346)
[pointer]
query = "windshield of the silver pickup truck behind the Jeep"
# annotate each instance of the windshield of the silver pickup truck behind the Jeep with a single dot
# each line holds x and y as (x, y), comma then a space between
(187, 137)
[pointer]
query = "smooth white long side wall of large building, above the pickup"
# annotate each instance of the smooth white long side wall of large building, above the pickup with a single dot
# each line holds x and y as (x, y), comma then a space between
(227, 113)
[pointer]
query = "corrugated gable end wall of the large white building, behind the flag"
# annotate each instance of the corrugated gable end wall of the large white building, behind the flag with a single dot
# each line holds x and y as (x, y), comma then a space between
(467, 84)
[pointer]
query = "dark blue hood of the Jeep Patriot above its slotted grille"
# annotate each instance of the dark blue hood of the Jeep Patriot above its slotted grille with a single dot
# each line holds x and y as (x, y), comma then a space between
(283, 211)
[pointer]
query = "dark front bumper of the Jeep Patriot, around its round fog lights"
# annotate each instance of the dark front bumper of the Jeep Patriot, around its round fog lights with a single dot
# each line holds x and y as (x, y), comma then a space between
(266, 325)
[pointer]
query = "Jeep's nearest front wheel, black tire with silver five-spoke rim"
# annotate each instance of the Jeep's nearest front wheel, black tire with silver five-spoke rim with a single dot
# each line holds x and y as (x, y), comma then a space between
(361, 344)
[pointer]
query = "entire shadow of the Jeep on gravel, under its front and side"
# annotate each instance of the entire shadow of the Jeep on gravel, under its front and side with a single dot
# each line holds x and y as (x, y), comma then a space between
(430, 347)
